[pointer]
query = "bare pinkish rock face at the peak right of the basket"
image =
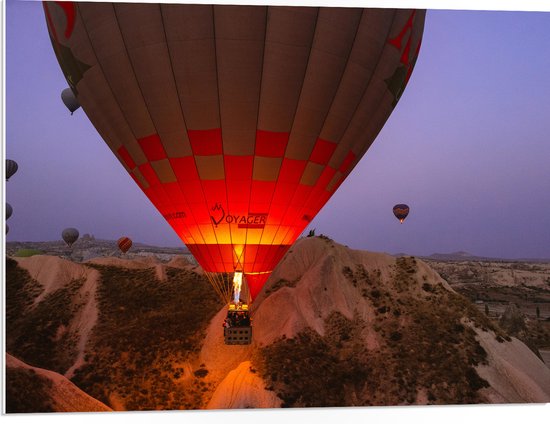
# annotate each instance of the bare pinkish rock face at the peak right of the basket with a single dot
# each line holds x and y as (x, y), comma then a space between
(320, 288)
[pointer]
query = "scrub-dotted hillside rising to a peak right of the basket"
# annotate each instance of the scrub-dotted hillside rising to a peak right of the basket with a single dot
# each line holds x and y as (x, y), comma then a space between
(338, 327)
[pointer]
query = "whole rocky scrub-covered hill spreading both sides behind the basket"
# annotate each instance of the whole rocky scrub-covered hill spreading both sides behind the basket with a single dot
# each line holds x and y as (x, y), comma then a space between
(332, 327)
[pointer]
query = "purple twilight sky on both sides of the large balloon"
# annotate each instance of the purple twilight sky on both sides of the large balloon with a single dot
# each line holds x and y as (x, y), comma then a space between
(467, 148)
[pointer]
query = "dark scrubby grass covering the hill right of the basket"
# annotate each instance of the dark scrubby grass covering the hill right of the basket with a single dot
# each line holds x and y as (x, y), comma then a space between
(424, 345)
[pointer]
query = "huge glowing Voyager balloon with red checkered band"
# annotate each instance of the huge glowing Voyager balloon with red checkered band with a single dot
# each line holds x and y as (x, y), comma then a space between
(238, 122)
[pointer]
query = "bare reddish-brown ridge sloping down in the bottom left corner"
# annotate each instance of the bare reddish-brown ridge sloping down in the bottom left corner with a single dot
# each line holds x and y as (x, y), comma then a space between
(64, 395)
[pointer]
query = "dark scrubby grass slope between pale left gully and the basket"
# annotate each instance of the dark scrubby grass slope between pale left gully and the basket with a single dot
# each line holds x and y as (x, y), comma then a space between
(146, 331)
